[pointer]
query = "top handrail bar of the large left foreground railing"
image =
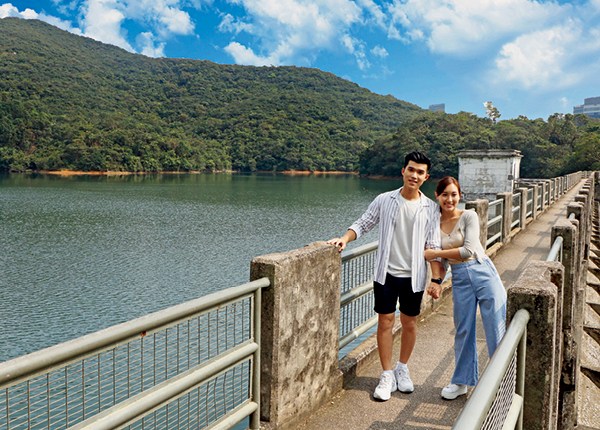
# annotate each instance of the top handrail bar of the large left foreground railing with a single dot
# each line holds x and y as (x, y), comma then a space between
(43, 361)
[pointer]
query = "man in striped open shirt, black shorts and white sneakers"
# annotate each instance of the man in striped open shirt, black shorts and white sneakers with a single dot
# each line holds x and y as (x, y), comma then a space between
(409, 224)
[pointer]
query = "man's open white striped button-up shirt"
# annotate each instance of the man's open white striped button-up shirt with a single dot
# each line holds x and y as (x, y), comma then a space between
(426, 234)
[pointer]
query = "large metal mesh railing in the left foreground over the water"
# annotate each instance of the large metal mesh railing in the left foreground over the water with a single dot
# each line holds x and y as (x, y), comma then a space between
(191, 365)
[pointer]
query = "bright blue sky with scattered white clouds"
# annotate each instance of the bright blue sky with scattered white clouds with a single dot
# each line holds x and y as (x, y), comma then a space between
(531, 58)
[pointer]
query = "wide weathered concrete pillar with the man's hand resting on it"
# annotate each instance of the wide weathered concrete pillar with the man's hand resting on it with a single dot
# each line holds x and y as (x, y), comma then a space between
(299, 332)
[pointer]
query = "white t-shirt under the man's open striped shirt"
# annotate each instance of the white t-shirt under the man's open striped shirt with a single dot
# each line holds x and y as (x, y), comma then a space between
(400, 262)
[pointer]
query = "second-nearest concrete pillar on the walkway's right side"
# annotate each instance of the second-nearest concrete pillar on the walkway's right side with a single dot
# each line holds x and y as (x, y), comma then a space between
(567, 402)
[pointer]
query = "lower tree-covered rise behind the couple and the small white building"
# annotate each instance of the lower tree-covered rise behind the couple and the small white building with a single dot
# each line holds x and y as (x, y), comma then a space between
(559, 145)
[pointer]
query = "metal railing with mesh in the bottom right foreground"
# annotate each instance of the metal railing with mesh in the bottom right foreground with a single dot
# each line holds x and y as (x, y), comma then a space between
(497, 400)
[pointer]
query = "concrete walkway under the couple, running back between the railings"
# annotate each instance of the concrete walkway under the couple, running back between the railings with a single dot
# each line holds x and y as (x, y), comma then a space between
(432, 361)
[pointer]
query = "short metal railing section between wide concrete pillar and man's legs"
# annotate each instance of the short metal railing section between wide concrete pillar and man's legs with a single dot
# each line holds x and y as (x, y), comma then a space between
(356, 308)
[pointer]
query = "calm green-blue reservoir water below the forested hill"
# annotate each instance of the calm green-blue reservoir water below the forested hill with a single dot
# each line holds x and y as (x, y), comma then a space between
(79, 254)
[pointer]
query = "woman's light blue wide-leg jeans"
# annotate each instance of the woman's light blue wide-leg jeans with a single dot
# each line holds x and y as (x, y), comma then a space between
(476, 282)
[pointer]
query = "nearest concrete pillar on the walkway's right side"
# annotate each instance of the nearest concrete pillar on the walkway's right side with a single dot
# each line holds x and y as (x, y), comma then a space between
(537, 291)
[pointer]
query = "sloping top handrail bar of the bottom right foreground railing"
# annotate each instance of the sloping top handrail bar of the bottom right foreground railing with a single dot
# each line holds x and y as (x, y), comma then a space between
(475, 411)
